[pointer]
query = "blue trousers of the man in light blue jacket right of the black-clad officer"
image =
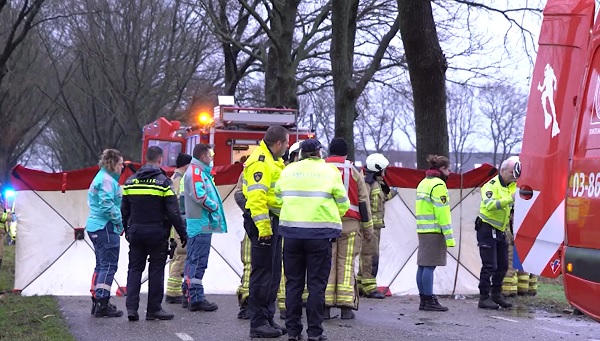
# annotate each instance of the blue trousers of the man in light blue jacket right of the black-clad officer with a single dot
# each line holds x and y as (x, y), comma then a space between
(198, 249)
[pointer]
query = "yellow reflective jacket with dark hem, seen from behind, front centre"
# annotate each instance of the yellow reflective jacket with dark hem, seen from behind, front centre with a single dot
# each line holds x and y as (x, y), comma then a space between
(313, 199)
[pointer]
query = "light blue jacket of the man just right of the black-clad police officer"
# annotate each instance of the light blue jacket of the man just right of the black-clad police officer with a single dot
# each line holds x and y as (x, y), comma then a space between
(203, 204)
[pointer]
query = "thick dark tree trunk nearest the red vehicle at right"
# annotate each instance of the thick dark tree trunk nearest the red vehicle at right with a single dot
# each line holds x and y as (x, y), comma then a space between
(427, 68)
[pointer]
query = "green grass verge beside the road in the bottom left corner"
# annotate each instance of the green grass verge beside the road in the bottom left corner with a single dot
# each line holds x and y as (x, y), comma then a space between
(27, 318)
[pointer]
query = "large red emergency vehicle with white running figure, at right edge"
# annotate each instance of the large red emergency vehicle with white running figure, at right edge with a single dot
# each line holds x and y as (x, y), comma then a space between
(557, 211)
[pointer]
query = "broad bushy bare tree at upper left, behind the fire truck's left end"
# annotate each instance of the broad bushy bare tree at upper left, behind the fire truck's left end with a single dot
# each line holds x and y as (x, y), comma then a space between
(133, 62)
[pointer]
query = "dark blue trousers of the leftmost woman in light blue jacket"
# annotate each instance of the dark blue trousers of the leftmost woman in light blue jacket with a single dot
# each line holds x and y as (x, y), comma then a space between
(107, 244)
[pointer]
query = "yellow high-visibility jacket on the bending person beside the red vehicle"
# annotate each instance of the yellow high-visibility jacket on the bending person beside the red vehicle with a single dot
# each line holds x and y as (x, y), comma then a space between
(496, 202)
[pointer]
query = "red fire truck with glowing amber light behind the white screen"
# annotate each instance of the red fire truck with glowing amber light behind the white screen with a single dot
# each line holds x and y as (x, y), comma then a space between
(234, 132)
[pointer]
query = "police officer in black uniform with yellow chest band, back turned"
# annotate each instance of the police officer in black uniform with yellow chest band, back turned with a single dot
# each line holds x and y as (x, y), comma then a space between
(149, 209)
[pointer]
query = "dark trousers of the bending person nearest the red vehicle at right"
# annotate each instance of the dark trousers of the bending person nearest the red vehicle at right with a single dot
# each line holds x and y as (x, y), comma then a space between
(493, 249)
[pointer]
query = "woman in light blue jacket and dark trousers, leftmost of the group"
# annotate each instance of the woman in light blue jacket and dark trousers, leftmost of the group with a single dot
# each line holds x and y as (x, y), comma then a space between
(104, 227)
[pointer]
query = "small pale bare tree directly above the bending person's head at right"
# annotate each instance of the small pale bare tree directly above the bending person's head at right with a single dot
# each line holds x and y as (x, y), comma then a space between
(504, 106)
